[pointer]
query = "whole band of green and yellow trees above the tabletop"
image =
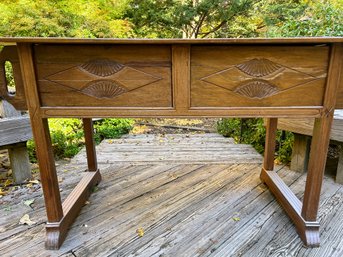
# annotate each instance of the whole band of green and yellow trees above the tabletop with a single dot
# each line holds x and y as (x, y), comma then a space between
(171, 18)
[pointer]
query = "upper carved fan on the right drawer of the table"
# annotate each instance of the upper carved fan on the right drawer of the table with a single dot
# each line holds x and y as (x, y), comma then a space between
(259, 67)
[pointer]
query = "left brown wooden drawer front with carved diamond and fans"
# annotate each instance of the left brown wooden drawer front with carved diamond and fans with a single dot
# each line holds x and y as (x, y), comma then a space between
(104, 75)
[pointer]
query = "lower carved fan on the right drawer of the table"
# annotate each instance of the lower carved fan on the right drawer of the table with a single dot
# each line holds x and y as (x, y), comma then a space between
(257, 89)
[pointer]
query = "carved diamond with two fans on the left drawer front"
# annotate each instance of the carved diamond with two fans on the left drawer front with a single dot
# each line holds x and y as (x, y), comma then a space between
(103, 78)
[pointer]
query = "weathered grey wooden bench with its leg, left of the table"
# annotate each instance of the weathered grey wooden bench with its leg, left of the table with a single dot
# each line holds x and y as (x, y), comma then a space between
(15, 130)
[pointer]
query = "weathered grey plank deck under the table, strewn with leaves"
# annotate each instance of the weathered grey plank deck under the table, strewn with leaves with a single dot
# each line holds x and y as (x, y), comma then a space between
(196, 195)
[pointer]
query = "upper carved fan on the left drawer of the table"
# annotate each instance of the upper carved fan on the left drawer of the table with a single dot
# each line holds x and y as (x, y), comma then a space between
(102, 67)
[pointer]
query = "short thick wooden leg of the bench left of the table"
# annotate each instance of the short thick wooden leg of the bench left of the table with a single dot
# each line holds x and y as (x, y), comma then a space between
(20, 163)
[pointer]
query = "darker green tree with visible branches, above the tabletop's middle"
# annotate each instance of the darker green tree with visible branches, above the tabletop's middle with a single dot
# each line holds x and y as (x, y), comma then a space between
(190, 18)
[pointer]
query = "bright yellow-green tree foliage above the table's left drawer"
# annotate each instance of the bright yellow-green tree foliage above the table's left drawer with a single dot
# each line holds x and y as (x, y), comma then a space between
(53, 18)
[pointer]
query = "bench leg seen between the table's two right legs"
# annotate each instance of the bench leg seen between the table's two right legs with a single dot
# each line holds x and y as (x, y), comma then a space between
(300, 152)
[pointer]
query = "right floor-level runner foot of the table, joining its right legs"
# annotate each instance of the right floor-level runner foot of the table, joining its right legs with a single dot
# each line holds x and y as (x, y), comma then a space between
(307, 230)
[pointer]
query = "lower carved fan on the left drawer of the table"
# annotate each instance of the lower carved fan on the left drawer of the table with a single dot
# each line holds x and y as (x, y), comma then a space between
(103, 89)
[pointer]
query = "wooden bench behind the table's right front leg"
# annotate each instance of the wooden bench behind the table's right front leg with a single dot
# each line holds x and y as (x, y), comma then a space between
(303, 129)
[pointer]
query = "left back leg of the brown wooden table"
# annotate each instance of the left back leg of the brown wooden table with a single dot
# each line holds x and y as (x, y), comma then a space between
(90, 144)
